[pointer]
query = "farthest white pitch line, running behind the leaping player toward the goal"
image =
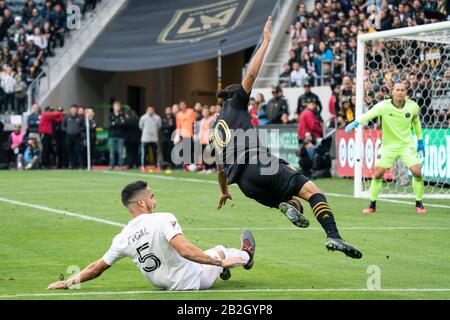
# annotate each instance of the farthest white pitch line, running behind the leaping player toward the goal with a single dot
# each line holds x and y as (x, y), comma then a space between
(338, 195)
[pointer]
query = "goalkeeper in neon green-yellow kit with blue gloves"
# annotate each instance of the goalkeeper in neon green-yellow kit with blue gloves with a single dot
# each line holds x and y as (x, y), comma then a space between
(398, 115)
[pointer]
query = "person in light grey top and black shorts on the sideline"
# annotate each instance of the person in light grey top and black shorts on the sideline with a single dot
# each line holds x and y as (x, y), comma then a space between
(150, 124)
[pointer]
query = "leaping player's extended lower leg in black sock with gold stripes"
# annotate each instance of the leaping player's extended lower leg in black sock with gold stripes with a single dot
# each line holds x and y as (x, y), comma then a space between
(322, 211)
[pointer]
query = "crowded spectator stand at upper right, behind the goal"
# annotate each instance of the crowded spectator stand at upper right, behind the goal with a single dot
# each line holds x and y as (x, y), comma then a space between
(323, 42)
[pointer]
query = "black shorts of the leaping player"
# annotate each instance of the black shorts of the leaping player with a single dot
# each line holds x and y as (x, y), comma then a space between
(271, 189)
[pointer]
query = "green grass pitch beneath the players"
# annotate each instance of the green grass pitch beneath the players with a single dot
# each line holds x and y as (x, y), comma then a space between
(36, 245)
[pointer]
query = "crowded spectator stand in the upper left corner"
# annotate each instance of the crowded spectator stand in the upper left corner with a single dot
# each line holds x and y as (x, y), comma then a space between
(30, 30)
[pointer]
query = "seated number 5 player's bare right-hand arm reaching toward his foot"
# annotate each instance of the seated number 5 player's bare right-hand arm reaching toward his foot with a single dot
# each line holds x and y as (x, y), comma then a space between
(188, 251)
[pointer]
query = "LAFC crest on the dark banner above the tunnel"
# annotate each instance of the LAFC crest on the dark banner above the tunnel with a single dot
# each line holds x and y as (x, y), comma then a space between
(194, 24)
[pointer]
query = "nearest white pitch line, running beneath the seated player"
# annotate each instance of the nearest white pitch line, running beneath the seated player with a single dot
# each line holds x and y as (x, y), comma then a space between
(65, 294)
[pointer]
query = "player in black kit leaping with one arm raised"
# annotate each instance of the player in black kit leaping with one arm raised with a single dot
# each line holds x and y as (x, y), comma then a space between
(241, 159)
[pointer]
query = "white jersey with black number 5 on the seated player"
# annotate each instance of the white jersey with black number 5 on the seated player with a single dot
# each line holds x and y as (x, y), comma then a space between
(146, 240)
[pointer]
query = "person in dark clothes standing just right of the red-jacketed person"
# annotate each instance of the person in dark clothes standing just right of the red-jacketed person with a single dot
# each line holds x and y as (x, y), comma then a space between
(73, 126)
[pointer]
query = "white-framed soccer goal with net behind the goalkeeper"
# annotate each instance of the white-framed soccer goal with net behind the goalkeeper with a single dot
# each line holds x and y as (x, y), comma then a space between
(420, 58)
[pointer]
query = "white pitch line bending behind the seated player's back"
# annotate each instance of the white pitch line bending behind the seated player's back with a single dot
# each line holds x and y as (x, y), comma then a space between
(121, 225)
